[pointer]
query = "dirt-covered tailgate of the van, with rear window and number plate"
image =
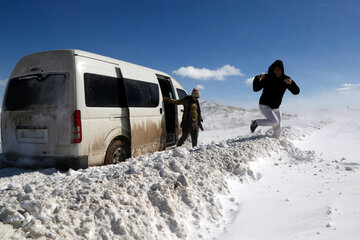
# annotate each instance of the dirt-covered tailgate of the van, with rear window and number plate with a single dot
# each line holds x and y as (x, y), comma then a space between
(37, 115)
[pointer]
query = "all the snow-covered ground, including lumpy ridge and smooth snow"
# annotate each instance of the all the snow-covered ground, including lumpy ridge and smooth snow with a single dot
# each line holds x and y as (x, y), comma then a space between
(234, 185)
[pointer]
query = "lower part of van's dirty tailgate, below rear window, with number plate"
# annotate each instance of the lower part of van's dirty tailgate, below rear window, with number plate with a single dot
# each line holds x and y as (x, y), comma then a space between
(35, 133)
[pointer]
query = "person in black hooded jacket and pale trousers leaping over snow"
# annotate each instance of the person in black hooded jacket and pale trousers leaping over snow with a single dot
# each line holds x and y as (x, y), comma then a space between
(274, 85)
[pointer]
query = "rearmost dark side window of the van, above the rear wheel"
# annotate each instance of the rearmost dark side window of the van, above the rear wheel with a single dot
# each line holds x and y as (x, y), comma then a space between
(104, 91)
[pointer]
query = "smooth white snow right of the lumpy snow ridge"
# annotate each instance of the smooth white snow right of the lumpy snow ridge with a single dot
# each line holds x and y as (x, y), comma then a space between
(317, 198)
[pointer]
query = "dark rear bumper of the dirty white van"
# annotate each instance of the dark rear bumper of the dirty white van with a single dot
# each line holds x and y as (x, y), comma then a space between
(60, 162)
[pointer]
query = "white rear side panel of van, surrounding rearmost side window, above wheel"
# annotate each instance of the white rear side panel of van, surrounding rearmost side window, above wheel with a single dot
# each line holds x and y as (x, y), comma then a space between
(97, 122)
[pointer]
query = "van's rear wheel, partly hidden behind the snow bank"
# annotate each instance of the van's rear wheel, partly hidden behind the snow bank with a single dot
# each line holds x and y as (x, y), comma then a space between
(117, 152)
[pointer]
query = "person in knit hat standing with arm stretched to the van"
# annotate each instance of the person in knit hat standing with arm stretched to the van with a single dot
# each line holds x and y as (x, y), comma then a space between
(191, 119)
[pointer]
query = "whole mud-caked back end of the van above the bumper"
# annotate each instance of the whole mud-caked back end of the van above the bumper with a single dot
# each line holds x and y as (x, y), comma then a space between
(38, 105)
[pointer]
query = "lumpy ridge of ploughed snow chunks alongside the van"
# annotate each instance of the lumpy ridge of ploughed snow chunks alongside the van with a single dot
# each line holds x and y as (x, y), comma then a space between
(175, 194)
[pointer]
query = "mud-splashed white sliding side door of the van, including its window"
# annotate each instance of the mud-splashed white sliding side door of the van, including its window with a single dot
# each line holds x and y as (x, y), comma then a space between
(147, 128)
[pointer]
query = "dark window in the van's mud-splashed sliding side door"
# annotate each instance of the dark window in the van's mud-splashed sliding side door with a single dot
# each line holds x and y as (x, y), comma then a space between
(141, 94)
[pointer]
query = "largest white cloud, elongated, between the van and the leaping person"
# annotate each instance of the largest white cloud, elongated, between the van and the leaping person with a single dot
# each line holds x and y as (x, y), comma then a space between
(219, 74)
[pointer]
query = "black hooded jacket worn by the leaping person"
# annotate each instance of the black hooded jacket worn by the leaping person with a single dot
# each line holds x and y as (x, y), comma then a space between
(273, 87)
